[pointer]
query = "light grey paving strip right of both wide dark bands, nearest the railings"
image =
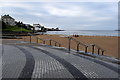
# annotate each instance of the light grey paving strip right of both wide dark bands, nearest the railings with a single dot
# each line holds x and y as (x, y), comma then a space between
(87, 67)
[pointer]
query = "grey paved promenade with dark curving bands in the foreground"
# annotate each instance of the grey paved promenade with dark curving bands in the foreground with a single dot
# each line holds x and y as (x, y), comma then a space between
(23, 61)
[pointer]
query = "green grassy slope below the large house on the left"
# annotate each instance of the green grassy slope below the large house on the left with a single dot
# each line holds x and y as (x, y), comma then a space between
(15, 29)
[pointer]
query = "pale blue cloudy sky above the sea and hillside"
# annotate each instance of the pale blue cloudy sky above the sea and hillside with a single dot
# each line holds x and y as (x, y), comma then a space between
(65, 15)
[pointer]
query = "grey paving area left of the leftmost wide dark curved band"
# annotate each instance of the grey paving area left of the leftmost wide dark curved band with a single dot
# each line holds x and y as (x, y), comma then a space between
(13, 62)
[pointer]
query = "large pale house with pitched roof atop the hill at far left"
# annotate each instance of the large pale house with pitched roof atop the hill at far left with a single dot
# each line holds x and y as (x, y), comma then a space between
(8, 20)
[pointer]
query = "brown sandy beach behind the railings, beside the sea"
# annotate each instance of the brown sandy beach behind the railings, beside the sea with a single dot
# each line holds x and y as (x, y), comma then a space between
(108, 43)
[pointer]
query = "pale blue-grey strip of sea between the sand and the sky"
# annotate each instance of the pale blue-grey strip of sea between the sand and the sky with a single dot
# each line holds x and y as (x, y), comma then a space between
(86, 32)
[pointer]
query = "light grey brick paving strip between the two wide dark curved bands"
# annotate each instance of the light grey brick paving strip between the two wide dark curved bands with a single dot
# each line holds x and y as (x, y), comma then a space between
(47, 67)
